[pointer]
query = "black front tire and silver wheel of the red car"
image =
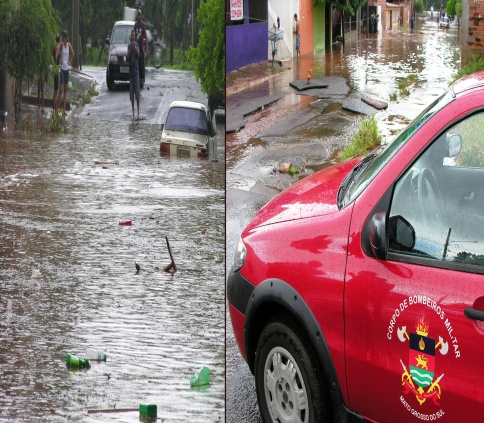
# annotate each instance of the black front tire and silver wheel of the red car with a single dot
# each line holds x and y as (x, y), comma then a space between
(288, 378)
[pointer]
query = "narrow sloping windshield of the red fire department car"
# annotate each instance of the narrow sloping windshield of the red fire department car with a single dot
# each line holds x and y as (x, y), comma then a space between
(358, 180)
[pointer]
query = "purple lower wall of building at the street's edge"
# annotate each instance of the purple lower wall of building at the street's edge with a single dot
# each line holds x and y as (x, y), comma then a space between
(245, 44)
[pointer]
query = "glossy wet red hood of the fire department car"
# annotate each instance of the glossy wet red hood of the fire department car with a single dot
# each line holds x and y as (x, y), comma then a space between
(315, 195)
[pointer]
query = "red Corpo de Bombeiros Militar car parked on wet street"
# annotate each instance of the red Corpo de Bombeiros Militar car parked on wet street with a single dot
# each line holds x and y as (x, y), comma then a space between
(359, 291)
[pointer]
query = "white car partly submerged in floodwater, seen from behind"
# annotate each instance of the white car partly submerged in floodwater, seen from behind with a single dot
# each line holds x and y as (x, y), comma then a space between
(189, 130)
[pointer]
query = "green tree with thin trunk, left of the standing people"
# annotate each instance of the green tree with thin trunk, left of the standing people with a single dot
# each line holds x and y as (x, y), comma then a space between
(28, 35)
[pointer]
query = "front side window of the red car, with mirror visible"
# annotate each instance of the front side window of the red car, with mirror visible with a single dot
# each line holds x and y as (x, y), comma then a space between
(437, 209)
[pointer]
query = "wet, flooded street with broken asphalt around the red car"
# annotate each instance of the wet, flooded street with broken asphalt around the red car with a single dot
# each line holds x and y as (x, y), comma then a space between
(312, 129)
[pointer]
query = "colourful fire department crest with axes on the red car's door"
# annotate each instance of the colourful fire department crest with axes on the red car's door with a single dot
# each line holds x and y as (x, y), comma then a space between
(419, 379)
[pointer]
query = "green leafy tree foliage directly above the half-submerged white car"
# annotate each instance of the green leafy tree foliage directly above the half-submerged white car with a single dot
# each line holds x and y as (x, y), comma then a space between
(208, 58)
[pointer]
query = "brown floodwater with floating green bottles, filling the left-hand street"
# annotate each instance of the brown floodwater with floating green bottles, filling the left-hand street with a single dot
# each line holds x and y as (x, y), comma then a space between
(68, 279)
